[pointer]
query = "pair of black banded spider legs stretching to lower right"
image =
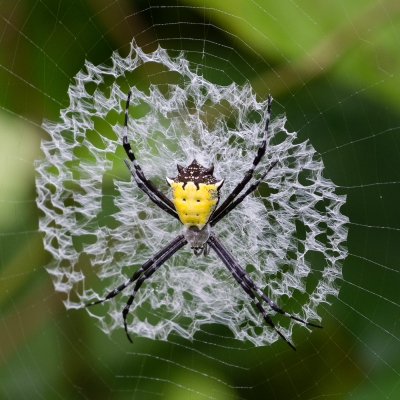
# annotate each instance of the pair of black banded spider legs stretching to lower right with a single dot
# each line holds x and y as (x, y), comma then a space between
(233, 265)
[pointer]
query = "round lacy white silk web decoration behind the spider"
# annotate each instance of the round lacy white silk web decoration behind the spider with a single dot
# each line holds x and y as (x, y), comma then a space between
(99, 227)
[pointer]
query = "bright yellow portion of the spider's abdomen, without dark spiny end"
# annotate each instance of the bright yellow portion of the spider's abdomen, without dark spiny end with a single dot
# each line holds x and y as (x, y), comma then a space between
(194, 206)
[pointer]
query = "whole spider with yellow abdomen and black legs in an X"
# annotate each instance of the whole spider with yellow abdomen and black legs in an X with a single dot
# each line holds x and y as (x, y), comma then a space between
(195, 192)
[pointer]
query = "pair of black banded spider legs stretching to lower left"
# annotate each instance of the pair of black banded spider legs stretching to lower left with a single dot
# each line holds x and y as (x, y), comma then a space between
(147, 269)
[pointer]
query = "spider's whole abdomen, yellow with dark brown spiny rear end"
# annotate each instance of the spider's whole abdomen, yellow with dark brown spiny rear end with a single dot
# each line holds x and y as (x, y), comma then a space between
(195, 193)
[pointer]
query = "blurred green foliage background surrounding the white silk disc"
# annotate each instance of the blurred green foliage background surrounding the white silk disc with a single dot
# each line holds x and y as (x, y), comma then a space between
(334, 69)
